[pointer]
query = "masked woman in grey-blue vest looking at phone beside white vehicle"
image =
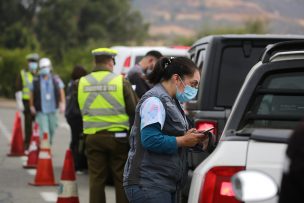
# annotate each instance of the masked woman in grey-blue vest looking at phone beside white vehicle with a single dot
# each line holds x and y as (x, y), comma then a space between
(156, 167)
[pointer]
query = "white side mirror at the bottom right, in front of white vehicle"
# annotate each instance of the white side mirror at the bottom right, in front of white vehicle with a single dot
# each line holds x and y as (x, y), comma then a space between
(253, 186)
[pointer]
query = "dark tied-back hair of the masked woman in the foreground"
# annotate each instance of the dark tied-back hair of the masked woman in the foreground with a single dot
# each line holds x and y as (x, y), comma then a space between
(166, 67)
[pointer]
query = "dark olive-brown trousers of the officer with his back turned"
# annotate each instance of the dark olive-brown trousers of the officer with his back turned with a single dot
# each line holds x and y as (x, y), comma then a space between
(105, 151)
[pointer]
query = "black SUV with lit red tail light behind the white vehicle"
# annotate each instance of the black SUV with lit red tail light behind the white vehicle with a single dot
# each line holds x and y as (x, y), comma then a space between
(224, 61)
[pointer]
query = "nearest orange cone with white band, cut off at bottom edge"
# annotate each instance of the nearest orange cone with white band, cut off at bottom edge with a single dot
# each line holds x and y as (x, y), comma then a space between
(67, 191)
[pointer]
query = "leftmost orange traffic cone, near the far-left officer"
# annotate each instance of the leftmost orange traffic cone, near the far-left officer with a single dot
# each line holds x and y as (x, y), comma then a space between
(17, 145)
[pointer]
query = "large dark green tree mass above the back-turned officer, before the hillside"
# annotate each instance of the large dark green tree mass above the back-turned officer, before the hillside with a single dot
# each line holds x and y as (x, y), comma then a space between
(66, 24)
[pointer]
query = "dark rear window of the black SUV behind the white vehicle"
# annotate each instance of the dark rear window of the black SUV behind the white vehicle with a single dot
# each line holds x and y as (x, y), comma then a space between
(235, 64)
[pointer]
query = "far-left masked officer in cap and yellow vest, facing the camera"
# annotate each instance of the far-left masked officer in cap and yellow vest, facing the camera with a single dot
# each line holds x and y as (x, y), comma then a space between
(23, 83)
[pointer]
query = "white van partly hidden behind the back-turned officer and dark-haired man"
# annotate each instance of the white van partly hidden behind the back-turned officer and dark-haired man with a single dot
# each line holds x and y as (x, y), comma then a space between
(127, 57)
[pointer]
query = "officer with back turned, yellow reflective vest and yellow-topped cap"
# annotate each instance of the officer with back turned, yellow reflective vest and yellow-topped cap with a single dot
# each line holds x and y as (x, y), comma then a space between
(107, 103)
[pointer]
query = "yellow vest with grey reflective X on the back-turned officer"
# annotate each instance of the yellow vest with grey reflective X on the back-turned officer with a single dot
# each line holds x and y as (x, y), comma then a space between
(101, 101)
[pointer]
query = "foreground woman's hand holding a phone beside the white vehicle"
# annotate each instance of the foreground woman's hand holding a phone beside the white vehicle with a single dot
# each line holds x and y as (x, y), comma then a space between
(190, 138)
